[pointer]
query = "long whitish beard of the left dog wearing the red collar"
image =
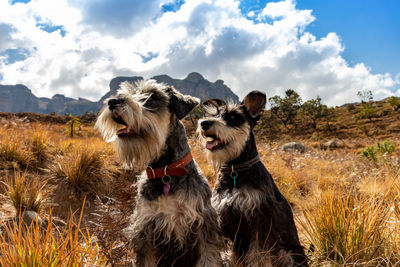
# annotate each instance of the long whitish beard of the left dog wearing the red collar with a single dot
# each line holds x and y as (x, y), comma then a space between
(151, 128)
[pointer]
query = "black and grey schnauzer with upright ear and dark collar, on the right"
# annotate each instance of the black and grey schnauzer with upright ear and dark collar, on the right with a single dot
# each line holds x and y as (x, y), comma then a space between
(254, 215)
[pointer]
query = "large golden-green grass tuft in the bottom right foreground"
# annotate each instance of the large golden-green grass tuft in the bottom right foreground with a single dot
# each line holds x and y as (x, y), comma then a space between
(347, 228)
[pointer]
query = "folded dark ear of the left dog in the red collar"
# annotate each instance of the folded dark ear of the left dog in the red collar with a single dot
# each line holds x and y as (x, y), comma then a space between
(181, 104)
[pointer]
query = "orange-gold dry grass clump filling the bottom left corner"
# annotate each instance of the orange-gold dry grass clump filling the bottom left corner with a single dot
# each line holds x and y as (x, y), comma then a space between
(22, 245)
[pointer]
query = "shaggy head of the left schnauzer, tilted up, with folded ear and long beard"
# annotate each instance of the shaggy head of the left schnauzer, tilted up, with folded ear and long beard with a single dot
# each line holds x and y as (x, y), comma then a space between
(138, 118)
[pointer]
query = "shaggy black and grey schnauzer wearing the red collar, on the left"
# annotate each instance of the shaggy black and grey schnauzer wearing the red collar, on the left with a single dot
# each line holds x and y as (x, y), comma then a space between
(174, 223)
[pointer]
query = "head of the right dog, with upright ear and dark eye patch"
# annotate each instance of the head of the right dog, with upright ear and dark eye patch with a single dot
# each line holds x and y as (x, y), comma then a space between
(227, 126)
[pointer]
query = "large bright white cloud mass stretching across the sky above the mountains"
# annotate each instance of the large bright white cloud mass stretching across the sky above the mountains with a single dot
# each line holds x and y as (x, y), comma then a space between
(104, 40)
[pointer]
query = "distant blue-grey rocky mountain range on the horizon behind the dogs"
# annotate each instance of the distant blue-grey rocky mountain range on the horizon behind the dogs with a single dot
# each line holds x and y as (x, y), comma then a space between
(19, 98)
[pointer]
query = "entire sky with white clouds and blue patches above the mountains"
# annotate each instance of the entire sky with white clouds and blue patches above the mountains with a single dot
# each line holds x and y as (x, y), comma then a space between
(331, 49)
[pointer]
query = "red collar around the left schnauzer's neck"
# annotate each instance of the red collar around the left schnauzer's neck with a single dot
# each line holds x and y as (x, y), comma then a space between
(175, 169)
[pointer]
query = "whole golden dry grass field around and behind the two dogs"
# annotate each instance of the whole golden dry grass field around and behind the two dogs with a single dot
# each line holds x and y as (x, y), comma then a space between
(346, 206)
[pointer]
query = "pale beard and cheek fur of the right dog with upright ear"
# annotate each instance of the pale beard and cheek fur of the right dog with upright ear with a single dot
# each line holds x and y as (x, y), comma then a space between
(234, 140)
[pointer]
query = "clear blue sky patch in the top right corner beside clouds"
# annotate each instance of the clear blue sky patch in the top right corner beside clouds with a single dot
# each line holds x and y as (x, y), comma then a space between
(369, 29)
